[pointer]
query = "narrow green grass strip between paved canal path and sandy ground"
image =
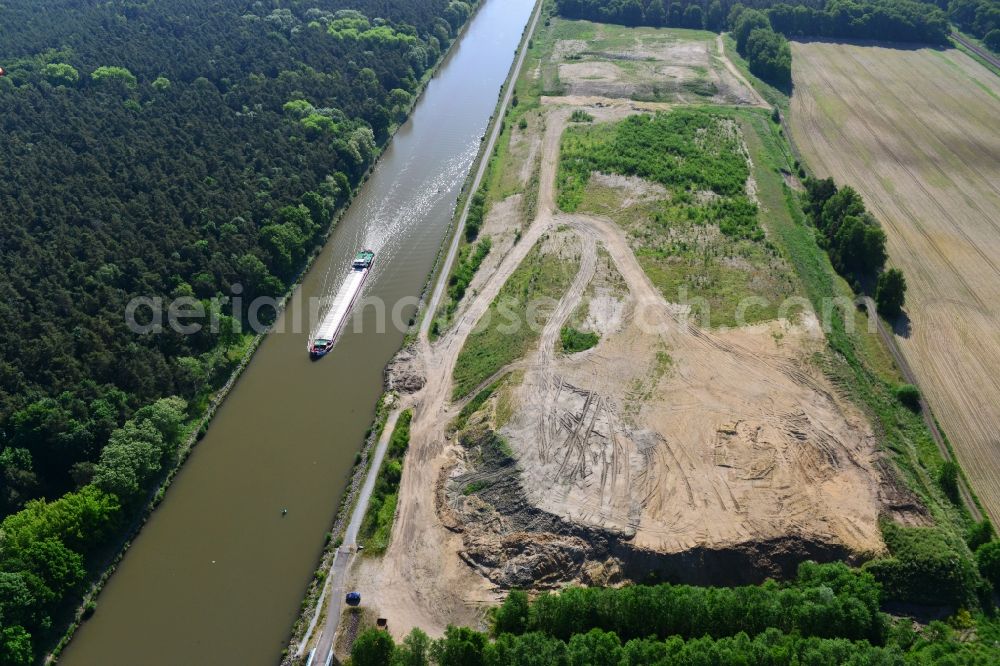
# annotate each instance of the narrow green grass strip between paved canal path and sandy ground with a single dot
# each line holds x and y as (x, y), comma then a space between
(376, 528)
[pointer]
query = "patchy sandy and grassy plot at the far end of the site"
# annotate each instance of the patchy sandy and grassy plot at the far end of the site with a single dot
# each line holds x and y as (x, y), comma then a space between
(645, 64)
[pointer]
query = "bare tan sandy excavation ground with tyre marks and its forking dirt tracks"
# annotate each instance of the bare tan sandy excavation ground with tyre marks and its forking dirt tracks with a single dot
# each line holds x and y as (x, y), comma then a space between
(700, 455)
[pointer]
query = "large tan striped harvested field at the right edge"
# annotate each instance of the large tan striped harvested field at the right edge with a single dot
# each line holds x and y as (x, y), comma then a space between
(915, 132)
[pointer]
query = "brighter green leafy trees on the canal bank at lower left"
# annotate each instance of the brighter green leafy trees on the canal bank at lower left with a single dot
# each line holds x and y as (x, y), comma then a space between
(48, 548)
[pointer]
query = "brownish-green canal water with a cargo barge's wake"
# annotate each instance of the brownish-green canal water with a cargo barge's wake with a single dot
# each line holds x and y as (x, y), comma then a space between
(217, 574)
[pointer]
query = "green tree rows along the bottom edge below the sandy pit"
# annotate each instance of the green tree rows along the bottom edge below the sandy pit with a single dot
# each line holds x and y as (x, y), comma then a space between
(645, 625)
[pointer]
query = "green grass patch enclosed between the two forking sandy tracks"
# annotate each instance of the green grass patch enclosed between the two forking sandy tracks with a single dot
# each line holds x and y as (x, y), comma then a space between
(505, 333)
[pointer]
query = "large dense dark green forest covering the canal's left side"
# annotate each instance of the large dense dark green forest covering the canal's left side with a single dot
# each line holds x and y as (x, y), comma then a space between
(184, 148)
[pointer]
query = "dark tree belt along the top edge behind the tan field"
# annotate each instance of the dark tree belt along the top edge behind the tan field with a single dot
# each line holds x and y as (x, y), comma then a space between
(896, 20)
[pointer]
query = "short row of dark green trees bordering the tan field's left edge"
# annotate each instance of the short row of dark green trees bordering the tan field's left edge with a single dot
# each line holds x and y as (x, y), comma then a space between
(855, 242)
